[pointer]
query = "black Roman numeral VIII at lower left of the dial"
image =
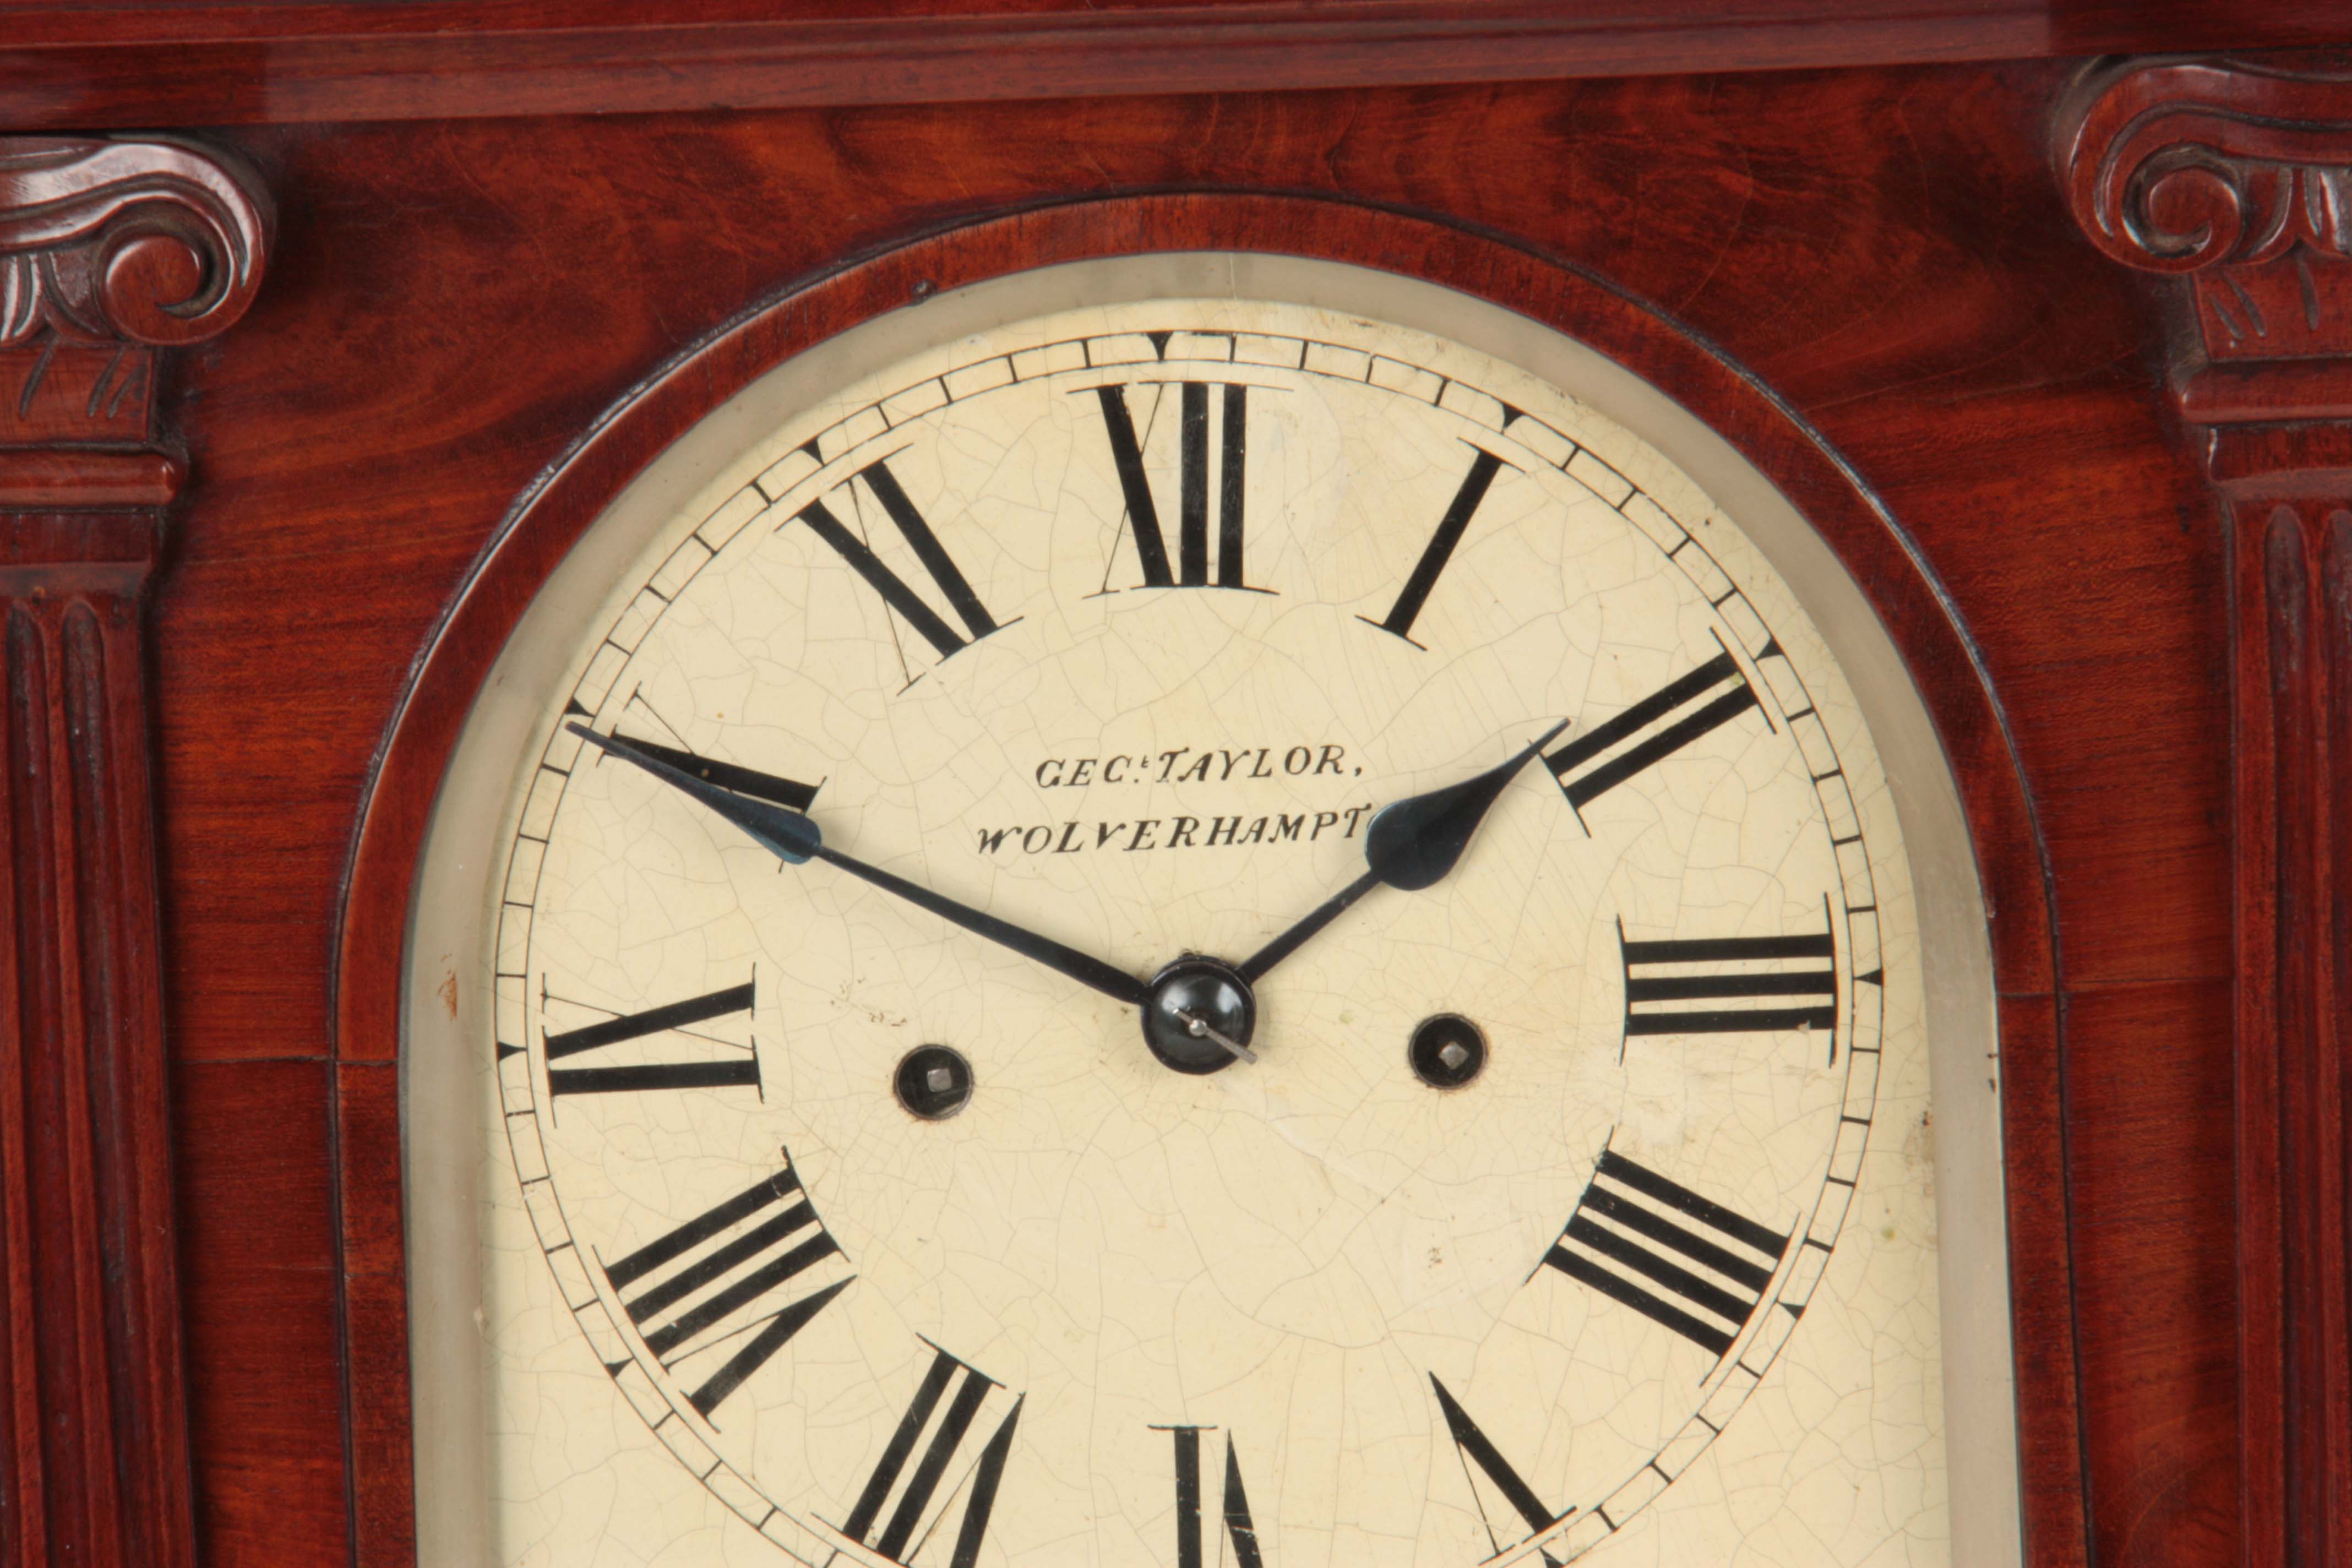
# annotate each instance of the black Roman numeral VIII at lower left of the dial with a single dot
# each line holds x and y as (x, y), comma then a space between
(719, 1278)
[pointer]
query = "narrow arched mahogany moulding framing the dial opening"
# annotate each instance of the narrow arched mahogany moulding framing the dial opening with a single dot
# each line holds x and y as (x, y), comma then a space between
(1878, 554)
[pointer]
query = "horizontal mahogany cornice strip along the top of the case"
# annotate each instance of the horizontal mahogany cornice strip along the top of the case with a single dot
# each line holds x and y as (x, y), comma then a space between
(159, 62)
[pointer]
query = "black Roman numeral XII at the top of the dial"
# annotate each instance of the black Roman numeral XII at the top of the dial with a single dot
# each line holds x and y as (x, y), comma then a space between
(1191, 485)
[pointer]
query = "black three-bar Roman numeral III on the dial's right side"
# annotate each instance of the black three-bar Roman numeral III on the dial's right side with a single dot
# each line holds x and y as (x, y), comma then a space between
(1732, 986)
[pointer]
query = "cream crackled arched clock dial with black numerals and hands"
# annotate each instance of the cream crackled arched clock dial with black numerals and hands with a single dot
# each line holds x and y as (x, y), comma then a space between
(1205, 932)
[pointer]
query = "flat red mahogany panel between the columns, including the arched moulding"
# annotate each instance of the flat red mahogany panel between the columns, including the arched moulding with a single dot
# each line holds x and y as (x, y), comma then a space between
(1866, 281)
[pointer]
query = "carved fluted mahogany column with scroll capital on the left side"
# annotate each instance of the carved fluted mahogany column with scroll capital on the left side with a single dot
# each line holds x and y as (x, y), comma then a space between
(109, 253)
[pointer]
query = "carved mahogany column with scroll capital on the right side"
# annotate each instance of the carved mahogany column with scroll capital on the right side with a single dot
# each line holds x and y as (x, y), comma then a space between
(2236, 180)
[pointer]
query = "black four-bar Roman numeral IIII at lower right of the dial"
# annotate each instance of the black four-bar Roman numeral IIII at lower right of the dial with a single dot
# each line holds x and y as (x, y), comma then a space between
(1673, 1257)
